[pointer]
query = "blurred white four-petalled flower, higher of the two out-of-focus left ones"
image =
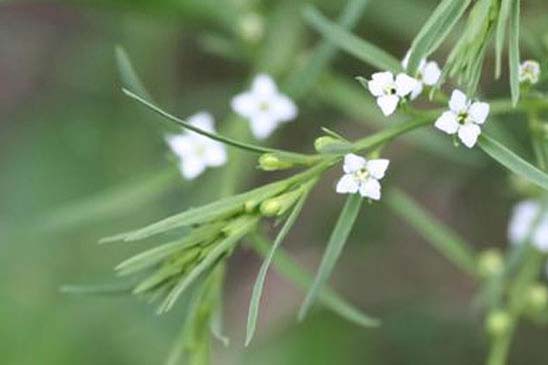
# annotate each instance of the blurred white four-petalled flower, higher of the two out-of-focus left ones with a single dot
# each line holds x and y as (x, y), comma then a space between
(264, 106)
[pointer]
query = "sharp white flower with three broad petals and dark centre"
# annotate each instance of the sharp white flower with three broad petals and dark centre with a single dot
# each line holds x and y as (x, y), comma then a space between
(390, 91)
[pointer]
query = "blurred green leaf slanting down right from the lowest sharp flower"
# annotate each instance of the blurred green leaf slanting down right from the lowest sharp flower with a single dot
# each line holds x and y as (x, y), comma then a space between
(441, 237)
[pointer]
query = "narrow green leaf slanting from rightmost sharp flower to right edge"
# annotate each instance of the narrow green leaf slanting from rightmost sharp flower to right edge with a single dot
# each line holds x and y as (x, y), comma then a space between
(512, 161)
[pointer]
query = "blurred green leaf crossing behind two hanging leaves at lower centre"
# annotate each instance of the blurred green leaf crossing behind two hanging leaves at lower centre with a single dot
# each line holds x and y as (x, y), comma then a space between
(292, 271)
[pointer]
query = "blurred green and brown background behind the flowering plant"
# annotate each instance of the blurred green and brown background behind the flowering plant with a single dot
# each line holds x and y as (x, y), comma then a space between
(78, 161)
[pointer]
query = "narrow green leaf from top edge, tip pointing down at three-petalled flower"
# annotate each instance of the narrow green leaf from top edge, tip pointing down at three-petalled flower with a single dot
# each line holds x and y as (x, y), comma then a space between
(435, 30)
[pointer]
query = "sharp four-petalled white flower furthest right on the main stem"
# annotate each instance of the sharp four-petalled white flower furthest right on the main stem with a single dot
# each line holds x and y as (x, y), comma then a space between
(464, 118)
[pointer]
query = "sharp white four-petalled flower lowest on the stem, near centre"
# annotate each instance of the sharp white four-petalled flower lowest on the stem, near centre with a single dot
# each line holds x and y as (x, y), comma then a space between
(361, 175)
